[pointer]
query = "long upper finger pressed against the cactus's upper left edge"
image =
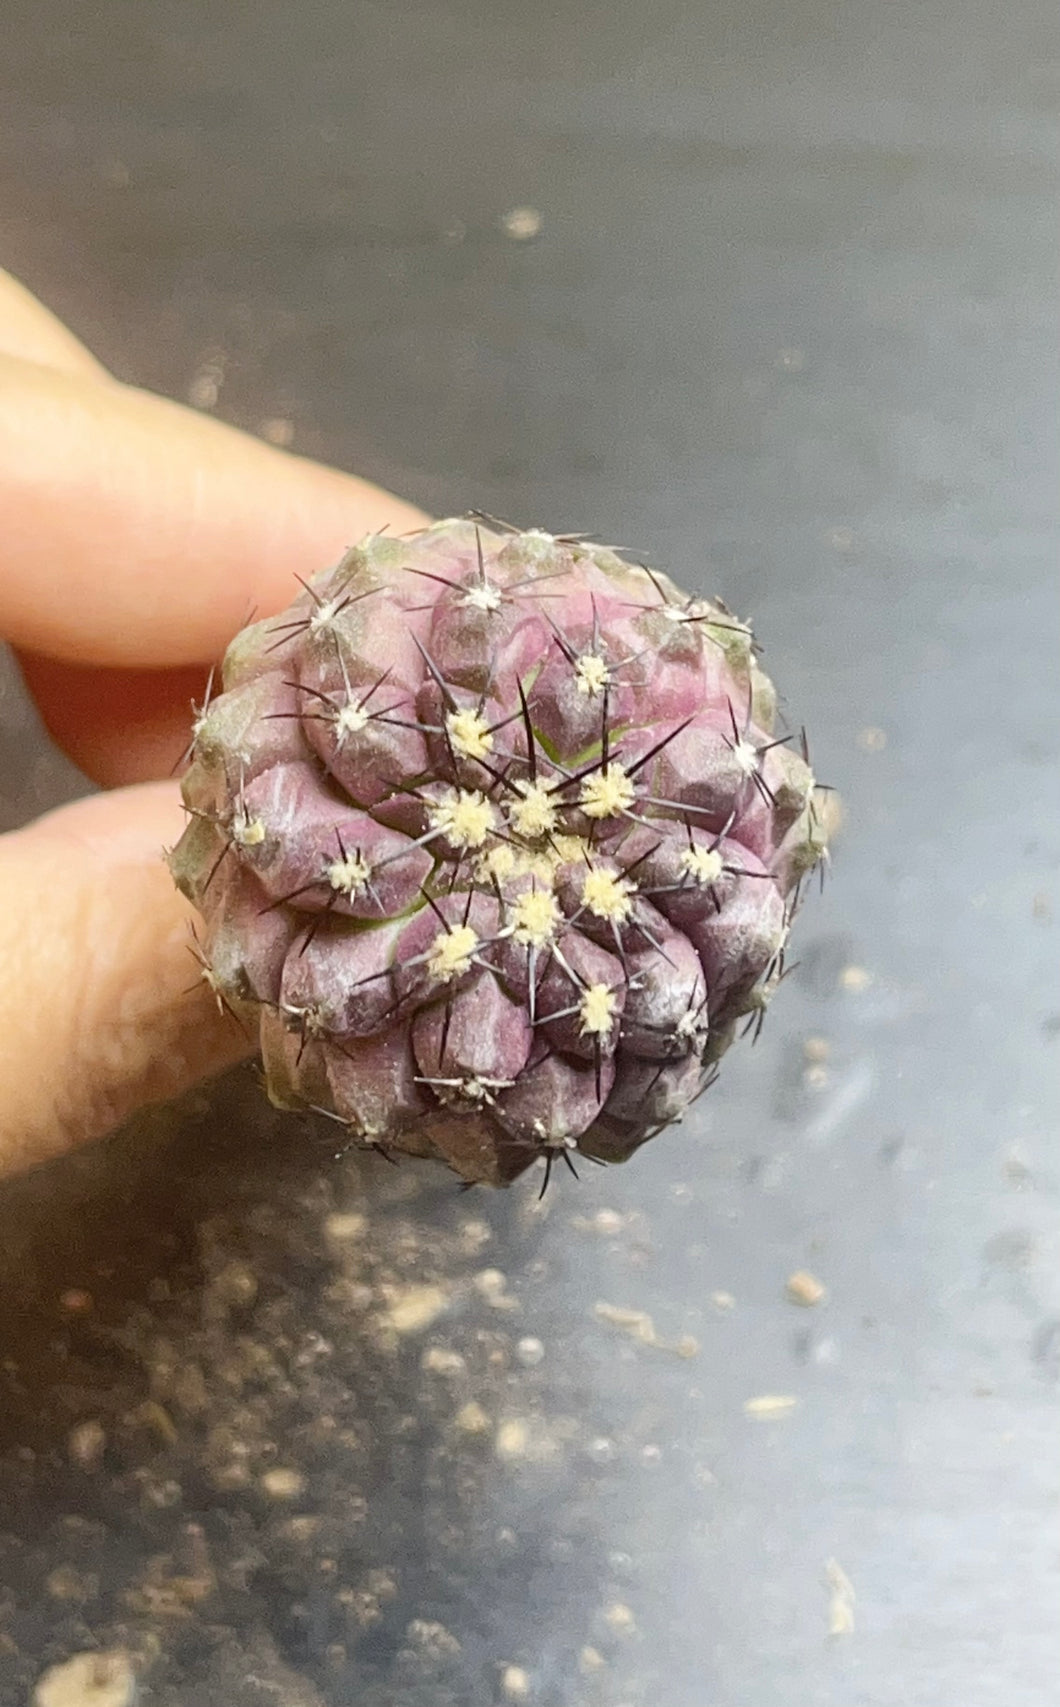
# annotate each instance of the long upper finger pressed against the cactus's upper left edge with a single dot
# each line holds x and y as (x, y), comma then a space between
(141, 533)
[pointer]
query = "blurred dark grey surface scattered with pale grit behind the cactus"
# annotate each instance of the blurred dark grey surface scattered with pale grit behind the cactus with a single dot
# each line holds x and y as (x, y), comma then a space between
(767, 293)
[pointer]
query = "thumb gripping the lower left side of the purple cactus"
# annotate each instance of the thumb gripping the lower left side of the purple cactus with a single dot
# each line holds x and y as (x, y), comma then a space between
(100, 1003)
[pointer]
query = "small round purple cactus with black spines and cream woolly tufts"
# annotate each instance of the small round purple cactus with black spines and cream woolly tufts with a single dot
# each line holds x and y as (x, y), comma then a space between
(494, 846)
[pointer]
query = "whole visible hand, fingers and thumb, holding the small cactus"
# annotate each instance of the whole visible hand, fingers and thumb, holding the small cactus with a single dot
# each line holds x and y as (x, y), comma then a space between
(137, 539)
